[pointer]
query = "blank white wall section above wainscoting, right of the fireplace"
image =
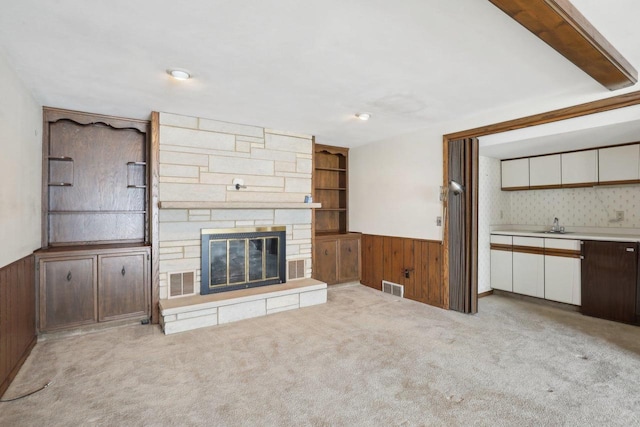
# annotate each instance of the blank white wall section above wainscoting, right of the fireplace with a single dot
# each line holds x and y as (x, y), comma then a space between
(394, 186)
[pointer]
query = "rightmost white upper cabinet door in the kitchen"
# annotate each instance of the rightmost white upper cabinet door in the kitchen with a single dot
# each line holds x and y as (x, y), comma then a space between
(619, 163)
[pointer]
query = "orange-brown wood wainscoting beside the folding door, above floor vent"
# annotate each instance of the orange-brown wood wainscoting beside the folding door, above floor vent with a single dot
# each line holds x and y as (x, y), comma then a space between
(414, 263)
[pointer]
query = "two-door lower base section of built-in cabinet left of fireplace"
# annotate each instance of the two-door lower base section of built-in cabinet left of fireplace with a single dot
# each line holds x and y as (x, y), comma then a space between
(81, 287)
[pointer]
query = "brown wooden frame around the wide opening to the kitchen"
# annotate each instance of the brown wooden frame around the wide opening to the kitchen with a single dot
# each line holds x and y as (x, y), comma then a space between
(599, 106)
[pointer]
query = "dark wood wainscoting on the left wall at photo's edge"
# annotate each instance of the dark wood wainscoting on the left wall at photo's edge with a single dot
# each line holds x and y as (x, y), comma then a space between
(17, 317)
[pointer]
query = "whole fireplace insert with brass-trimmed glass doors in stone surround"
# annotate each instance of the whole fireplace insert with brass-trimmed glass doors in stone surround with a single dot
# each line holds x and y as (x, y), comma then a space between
(242, 258)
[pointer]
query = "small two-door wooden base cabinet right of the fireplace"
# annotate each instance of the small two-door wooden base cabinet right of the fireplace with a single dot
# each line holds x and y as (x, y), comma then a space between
(337, 258)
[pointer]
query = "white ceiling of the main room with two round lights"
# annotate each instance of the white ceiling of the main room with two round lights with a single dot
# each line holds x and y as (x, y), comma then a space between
(302, 66)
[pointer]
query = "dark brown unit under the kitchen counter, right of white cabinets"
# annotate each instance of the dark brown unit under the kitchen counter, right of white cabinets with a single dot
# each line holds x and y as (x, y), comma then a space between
(610, 282)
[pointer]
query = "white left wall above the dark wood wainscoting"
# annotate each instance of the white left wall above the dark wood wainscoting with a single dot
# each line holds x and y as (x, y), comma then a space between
(20, 167)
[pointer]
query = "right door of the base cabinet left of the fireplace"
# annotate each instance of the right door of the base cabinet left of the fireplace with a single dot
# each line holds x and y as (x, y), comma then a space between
(122, 286)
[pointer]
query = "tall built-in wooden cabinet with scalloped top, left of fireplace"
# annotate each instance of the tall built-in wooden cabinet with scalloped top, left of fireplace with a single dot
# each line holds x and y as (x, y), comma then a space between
(95, 256)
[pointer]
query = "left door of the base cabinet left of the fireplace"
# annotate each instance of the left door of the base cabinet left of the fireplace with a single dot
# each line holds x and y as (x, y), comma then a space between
(69, 290)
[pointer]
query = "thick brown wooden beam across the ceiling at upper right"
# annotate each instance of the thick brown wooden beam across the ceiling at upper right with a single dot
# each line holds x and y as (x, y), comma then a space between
(559, 24)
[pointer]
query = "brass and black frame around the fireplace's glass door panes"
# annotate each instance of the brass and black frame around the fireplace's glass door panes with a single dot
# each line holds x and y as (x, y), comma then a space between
(238, 234)
